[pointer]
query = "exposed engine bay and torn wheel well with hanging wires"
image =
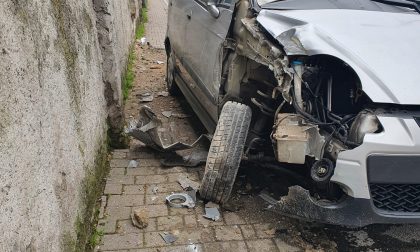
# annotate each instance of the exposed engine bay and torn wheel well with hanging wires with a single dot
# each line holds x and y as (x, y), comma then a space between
(306, 109)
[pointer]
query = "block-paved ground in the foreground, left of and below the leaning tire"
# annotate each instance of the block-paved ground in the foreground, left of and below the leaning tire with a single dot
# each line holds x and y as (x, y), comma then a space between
(133, 188)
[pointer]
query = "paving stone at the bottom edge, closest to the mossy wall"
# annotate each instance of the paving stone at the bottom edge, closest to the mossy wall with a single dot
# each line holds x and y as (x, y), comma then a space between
(125, 241)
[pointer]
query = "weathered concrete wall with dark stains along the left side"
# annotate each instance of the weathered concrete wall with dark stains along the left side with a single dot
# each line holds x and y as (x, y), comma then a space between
(53, 112)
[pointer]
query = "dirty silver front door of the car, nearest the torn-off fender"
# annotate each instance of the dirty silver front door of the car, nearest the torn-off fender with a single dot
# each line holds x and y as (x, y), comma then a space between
(202, 58)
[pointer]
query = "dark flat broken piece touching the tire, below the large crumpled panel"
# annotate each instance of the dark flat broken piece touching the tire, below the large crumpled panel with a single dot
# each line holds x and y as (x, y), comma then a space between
(194, 159)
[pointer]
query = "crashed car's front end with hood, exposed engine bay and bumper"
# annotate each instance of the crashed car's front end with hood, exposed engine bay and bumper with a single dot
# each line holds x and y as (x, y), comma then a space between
(345, 107)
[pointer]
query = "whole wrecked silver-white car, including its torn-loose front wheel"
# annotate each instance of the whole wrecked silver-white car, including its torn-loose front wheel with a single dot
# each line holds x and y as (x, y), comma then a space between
(326, 91)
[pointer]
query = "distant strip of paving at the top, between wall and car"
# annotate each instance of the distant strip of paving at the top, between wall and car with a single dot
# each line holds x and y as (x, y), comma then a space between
(157, 20)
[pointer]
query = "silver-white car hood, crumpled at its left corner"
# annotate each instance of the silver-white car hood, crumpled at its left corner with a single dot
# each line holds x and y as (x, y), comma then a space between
(382, 47)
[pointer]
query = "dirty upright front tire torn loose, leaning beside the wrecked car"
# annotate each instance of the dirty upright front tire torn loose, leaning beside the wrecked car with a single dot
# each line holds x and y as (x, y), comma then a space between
(225, 152)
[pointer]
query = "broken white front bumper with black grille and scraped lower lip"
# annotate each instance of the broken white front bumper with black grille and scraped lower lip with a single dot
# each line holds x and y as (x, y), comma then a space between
(381, 180)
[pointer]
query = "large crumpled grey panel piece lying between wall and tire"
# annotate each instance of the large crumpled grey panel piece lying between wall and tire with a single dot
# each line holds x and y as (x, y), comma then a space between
(149, 130)
